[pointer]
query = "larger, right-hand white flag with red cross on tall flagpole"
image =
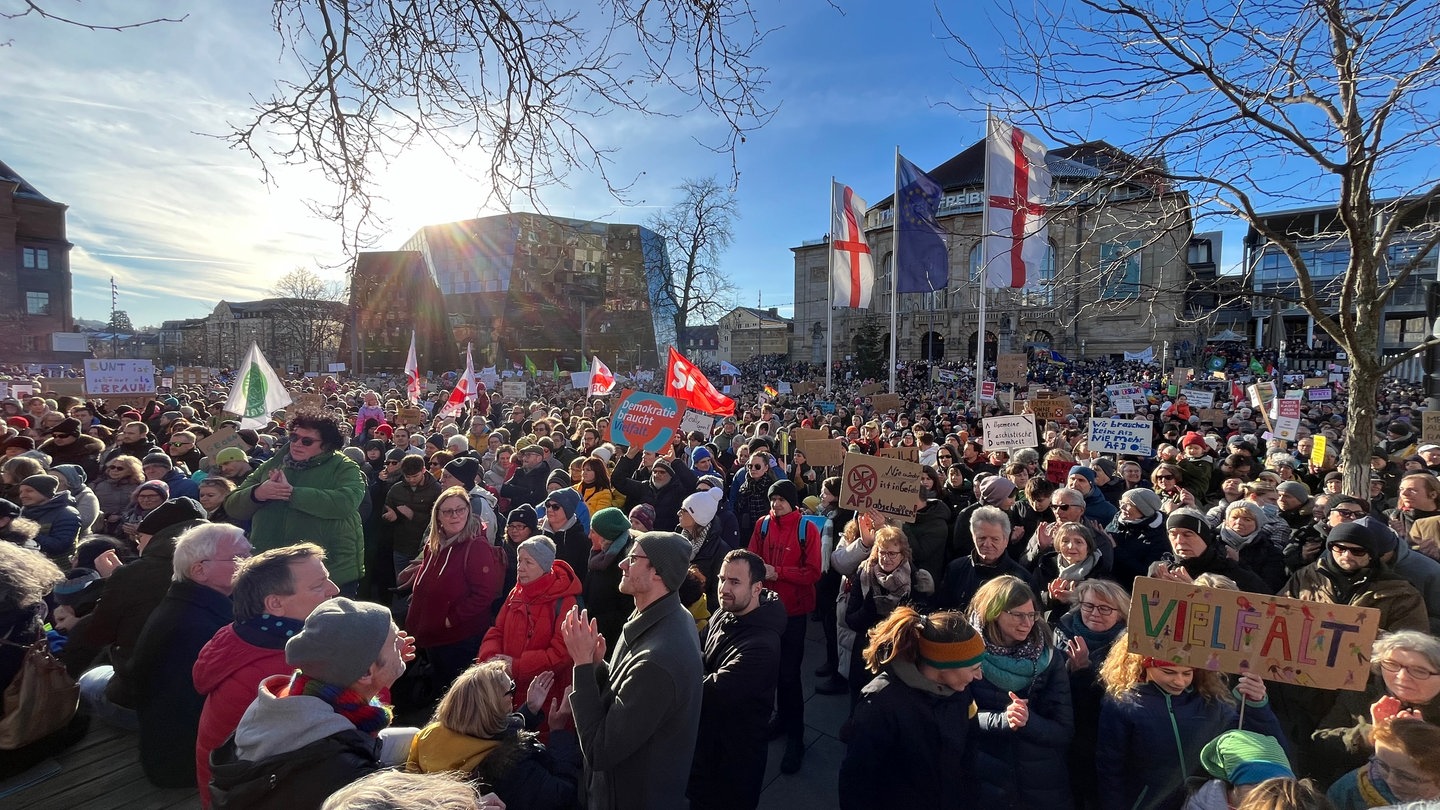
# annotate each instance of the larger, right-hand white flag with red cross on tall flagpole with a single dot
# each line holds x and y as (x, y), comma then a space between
(1017, 191)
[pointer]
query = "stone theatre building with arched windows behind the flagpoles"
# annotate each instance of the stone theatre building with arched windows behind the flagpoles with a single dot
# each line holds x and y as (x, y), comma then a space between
(1114, 280)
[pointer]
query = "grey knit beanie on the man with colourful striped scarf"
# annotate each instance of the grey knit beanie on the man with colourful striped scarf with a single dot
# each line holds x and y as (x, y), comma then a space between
(341, 641)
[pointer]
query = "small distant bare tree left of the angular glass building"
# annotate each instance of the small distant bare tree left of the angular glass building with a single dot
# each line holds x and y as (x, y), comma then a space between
(310, 318)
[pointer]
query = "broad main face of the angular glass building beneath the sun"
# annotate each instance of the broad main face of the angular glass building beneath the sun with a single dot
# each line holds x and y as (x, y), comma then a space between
(552, 290)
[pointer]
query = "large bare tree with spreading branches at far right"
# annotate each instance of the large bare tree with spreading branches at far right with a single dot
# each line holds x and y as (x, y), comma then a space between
(1261, 107)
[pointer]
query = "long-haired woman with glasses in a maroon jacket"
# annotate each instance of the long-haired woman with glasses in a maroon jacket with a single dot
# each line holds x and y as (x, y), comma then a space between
(460, 579)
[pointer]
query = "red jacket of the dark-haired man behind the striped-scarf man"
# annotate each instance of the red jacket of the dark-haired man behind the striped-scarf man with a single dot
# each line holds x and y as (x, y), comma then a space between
(228, 672)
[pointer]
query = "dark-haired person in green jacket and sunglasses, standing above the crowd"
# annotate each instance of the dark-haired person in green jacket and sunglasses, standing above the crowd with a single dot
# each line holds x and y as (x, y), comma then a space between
(309, 492)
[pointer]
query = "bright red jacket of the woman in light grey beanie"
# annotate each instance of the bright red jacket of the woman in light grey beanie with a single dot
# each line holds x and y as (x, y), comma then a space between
(529, 629)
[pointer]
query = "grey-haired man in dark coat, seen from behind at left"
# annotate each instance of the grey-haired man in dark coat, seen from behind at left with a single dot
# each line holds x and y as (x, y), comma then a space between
(195, 609)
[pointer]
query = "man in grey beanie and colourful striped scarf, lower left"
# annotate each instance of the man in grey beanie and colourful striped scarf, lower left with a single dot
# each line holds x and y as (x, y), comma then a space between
(322, 729)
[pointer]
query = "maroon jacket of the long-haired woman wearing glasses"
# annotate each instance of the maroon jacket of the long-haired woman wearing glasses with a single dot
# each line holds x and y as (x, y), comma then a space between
(454, 592)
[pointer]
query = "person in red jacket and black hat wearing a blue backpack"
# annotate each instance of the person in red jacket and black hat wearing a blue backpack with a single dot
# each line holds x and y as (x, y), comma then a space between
(791, 550)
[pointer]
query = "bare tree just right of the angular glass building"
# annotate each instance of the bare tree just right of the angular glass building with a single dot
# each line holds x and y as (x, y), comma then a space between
(698, 231)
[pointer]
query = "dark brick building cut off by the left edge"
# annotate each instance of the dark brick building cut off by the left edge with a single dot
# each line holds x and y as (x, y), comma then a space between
(35, 276)
